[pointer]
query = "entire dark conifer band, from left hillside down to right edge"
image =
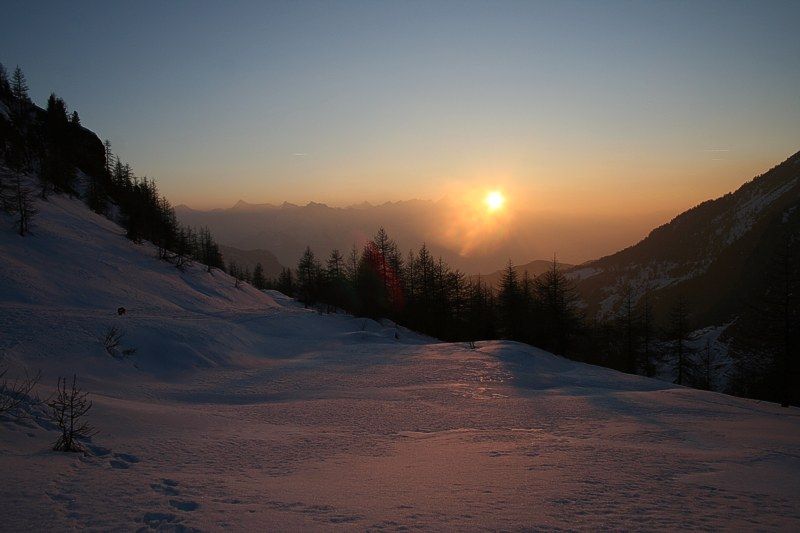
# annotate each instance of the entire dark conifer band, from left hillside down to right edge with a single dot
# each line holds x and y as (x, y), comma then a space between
(49, 147)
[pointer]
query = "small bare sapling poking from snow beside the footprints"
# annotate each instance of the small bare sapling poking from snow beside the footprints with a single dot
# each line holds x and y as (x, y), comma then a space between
(68, 409)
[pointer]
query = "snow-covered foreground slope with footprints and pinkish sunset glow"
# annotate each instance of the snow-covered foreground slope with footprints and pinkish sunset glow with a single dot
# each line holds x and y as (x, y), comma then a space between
(243, 410)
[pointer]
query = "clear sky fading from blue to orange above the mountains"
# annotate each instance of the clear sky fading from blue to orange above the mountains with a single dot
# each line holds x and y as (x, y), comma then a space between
(568, 107)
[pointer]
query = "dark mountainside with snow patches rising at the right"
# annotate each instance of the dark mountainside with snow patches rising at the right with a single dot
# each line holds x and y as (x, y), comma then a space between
(715, 254)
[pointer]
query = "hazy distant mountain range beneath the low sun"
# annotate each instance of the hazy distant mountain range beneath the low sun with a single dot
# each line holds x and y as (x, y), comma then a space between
(286, 230)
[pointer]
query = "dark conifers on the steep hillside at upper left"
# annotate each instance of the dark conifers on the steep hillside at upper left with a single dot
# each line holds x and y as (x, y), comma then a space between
(50, 145)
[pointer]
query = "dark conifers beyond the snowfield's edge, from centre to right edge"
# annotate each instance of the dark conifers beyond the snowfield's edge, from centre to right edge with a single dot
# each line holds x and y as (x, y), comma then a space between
(425, 294)
